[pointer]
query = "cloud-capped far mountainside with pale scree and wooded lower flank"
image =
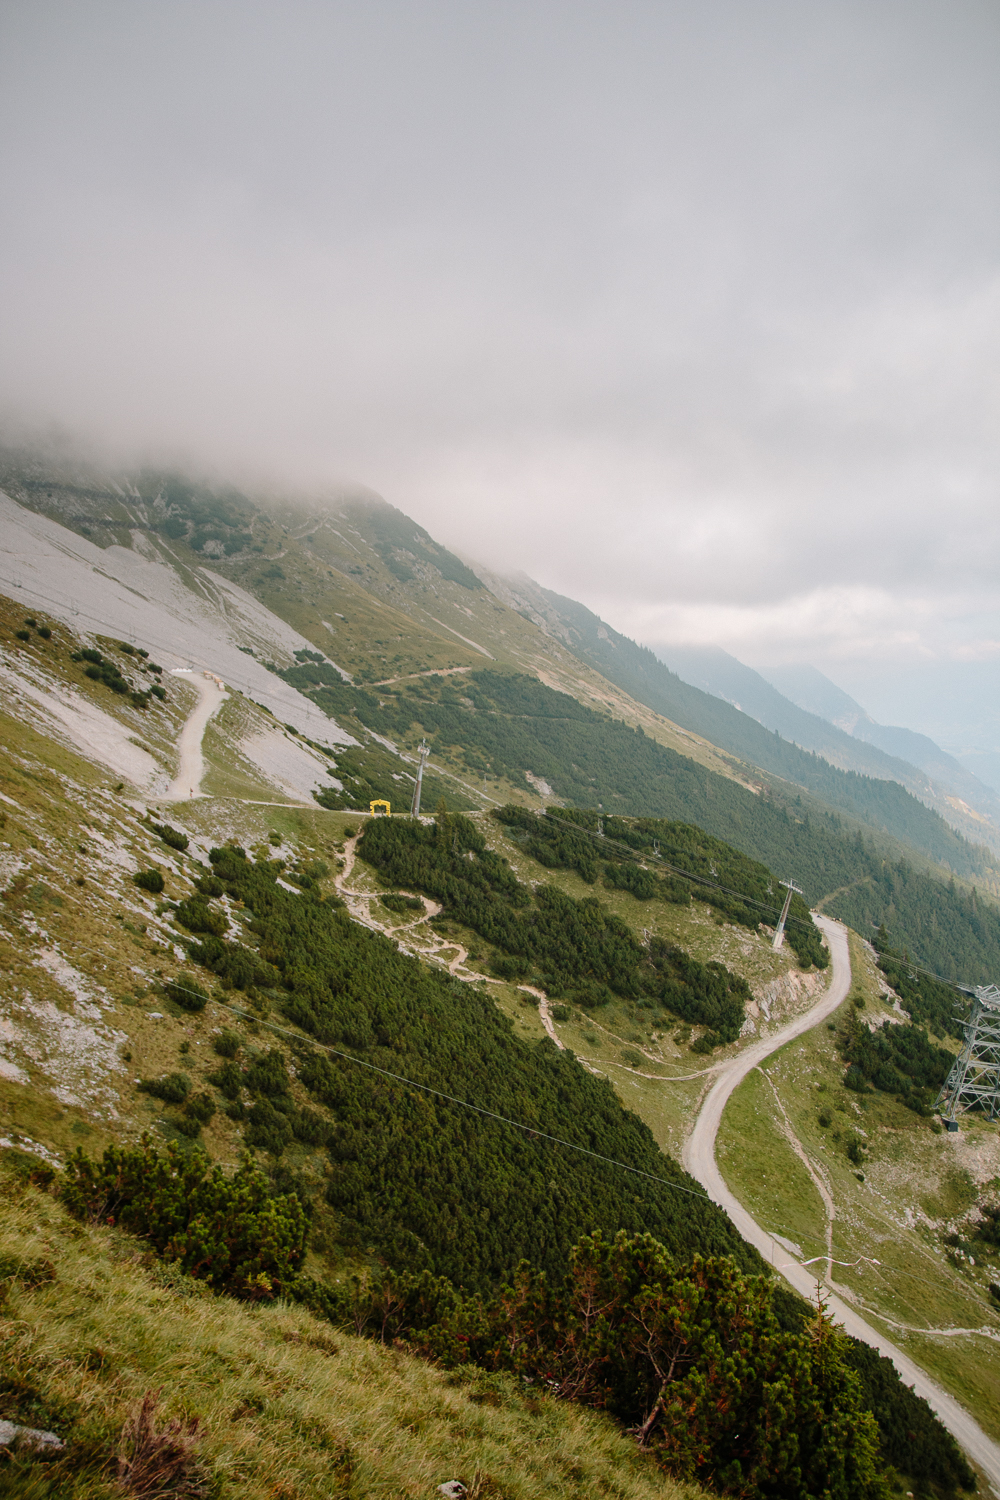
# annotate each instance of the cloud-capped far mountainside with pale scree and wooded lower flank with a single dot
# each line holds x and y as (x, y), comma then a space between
(286, 589)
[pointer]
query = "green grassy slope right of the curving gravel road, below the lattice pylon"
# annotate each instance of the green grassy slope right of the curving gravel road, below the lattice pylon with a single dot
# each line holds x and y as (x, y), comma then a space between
(918, 1187)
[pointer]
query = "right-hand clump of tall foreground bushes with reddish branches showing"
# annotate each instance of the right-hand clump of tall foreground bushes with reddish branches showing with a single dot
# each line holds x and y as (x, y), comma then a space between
(690, 1357)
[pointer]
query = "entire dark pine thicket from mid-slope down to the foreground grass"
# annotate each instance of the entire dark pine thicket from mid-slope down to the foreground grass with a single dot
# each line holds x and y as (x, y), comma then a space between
(452, 1202)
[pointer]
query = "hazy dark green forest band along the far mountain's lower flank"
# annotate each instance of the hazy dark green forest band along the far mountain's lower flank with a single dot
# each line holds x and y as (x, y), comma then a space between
(515, 724)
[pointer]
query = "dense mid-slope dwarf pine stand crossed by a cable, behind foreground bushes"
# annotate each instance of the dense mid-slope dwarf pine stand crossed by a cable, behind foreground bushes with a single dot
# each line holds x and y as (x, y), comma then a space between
(416, 1177)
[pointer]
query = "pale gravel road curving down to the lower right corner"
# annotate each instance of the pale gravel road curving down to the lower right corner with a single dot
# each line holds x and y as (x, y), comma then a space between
(699, 1159)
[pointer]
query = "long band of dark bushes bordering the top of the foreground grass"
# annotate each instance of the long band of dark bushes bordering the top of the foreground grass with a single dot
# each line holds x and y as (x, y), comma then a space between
(725, 1379)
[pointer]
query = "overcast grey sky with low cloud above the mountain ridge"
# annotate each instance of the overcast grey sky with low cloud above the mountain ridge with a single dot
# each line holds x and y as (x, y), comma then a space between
(689, 310)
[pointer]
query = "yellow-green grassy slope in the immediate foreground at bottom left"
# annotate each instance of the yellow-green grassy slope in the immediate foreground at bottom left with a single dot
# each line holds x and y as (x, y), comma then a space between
(287, 1408)
